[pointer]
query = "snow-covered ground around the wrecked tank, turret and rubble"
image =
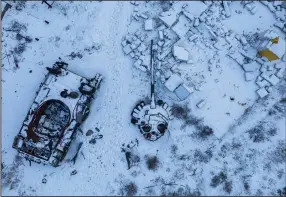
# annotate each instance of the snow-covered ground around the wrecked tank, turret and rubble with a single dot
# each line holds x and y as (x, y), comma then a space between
(245, 155)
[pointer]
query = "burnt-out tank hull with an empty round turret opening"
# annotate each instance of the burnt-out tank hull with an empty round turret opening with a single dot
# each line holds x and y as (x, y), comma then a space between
(60, 107)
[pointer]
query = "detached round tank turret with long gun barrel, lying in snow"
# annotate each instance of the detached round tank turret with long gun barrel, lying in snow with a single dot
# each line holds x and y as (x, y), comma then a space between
(152, 119)
